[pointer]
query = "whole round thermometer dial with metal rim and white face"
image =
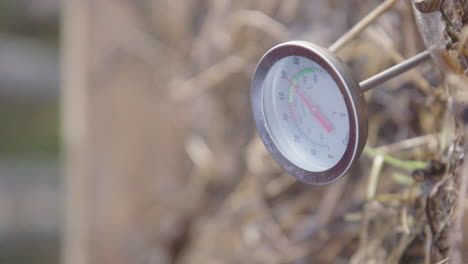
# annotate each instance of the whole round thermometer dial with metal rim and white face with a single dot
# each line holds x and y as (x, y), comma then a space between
(309, 111)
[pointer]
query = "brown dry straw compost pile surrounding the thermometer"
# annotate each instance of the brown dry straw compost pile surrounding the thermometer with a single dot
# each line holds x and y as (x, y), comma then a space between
(400, 204)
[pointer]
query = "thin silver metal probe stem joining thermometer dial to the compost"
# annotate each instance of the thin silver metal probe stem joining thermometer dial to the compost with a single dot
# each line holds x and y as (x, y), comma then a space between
(393, 71)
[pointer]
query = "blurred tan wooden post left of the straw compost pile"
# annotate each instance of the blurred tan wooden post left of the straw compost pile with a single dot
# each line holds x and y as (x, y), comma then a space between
(123, 143)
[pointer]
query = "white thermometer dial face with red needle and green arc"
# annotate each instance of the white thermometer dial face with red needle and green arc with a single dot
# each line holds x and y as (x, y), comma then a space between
(305, 113)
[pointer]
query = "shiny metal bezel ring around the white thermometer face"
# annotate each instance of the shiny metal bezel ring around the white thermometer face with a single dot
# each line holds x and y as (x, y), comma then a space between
(353, 98)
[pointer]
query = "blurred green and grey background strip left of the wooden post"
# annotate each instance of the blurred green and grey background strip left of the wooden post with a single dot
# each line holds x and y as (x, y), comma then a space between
(30, 181)
